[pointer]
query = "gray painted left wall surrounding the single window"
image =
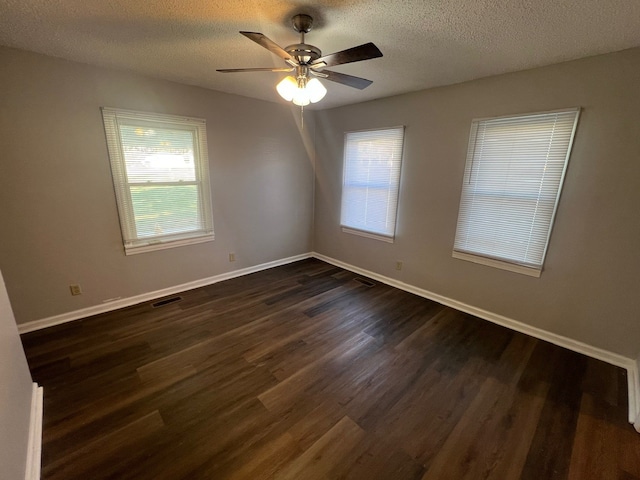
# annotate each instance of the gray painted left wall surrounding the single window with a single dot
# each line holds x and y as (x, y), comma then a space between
(57, 206)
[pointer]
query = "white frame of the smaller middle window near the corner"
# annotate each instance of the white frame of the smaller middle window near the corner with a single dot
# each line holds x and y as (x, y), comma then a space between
(350, 229)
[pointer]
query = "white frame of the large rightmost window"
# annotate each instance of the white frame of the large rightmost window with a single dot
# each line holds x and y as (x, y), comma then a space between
(534, 270)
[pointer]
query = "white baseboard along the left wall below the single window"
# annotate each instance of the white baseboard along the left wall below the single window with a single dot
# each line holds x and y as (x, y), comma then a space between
(144, 297)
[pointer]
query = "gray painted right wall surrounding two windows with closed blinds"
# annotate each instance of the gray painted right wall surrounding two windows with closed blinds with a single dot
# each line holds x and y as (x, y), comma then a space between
(589, 288)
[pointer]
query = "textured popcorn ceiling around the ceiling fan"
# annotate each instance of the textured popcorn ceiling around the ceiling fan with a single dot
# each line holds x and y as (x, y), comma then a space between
(425, 43)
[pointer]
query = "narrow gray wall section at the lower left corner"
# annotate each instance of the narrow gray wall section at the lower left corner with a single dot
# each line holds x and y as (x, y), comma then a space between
(15, 395)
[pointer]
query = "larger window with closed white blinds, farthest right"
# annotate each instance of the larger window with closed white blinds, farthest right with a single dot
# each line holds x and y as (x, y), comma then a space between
(512, 181)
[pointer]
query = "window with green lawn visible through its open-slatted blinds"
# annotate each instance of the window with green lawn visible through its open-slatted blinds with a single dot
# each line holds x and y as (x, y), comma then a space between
(160, 174)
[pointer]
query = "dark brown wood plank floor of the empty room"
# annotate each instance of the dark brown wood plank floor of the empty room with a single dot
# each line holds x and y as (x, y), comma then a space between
(302, 372)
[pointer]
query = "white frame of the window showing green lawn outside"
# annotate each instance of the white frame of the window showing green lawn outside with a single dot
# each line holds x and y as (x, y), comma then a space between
(133, 243)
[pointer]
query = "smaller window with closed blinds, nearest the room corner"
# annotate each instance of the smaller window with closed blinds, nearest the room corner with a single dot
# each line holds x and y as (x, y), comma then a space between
(371, 182)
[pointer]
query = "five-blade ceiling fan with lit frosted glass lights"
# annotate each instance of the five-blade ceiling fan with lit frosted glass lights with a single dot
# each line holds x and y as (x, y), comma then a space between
(309, 64)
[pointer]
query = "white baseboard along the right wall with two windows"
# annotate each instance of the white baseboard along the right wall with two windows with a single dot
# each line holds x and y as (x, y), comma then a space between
(632, 366)
